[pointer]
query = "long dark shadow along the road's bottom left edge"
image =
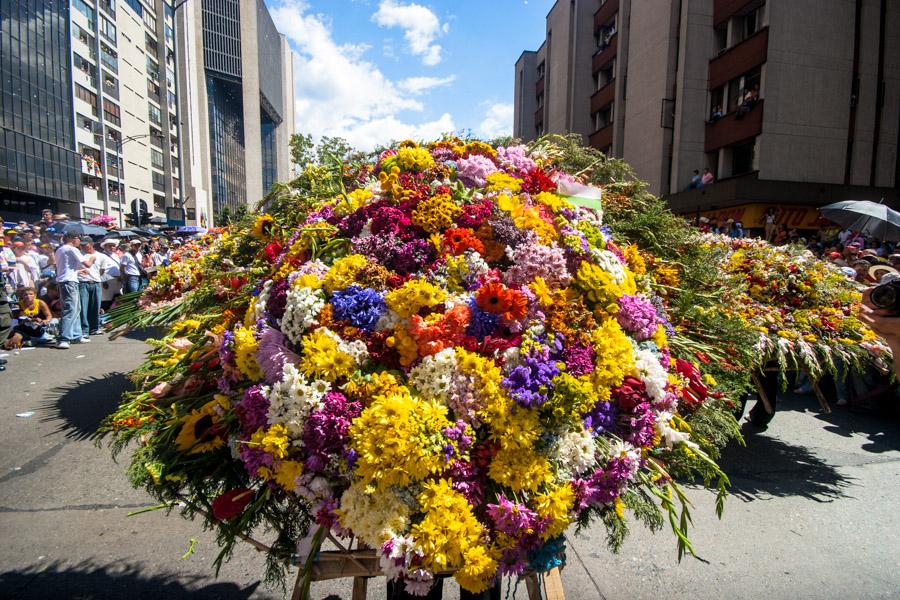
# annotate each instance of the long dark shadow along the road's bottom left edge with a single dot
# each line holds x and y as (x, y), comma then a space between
(120, 581)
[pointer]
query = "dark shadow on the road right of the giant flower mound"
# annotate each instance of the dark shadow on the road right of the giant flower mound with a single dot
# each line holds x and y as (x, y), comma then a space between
(770, 467)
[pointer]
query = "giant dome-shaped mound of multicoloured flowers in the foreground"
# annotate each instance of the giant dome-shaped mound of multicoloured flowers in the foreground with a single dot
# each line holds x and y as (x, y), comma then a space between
(435, 353)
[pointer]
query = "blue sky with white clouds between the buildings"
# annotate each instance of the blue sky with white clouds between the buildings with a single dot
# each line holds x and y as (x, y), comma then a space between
(376, 70)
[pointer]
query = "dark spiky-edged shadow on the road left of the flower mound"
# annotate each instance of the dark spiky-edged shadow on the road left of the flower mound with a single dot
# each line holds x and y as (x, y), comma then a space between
(80, 406)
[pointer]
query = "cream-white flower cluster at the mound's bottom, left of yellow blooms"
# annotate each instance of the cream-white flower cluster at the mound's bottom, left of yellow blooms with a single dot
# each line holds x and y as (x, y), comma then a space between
(375, 517)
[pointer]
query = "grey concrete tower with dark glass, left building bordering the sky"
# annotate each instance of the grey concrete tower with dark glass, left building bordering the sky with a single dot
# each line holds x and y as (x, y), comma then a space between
(238, 86)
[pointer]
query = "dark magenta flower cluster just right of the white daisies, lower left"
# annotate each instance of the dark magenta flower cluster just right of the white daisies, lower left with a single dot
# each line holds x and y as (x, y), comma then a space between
(325, 431)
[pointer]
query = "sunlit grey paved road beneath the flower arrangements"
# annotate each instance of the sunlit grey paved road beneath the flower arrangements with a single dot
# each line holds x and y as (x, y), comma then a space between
(814, 511)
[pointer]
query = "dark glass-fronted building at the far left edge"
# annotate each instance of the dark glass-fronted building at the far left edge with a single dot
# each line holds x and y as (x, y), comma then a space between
(38, 165)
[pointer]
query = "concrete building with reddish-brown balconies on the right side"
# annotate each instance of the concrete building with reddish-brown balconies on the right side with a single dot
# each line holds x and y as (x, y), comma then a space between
(788, 103)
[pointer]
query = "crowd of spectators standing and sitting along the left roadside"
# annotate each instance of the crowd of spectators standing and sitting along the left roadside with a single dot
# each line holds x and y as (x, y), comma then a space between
(55, 288)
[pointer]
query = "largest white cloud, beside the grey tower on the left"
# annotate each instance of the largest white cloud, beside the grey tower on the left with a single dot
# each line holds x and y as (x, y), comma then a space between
(340, 93)
